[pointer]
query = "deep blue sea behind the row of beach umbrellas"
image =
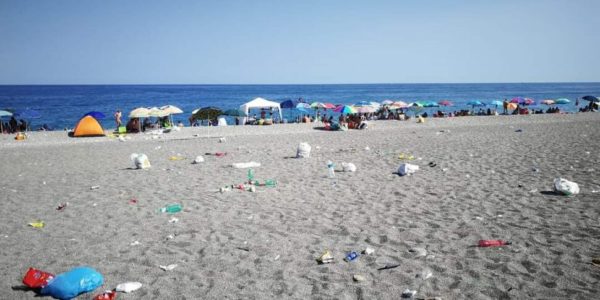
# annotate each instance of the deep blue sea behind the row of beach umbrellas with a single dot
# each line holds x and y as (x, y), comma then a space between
(61, 106)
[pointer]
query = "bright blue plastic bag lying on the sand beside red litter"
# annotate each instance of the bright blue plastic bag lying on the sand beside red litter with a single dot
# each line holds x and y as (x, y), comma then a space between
(70, 284)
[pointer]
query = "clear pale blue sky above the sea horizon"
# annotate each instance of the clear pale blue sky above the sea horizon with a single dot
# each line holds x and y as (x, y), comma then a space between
(307, 41)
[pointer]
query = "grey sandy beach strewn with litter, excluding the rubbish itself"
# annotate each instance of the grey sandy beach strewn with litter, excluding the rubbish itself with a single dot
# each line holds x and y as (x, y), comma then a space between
(492, 179)
